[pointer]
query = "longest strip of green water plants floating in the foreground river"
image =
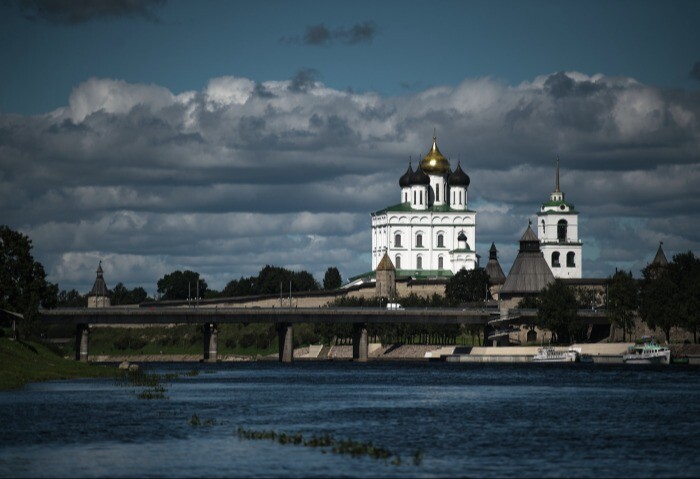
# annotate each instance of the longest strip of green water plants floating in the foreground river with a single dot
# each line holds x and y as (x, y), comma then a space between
(336, 446)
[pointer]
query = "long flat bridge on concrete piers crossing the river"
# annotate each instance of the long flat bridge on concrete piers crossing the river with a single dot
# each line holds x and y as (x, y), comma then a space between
(283, 318)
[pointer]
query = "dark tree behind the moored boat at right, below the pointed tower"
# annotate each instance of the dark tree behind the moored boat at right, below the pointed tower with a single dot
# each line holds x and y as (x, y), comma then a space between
(657, 306)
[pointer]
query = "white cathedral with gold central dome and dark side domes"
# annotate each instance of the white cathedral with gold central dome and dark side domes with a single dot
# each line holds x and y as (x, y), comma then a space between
(431, 232)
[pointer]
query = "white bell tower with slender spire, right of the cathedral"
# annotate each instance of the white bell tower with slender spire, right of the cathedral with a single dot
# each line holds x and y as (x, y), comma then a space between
(557, 230)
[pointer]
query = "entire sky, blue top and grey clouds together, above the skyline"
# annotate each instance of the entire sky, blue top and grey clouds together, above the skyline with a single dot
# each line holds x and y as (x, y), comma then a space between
(223, 136)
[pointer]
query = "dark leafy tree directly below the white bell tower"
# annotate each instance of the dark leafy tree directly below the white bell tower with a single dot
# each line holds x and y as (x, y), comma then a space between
(558, 309)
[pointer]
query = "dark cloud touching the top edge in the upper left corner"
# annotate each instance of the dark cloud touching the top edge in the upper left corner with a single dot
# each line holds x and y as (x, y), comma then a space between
(74, 12)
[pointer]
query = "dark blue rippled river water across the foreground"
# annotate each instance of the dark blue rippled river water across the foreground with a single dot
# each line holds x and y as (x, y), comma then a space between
(465, 419)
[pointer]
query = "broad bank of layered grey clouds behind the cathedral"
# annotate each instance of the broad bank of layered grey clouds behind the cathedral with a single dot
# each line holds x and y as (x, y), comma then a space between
(244, 173)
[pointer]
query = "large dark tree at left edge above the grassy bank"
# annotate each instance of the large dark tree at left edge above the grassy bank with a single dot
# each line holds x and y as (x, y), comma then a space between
(23, 285)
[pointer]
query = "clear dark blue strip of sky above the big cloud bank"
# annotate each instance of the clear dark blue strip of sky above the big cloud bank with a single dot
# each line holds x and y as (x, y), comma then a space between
(414, 44)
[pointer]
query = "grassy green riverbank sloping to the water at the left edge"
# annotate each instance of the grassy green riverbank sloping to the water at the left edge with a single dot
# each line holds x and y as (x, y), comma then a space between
(23, 362)
